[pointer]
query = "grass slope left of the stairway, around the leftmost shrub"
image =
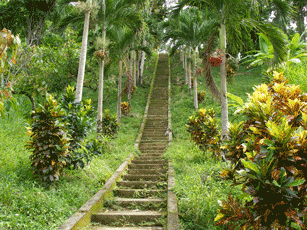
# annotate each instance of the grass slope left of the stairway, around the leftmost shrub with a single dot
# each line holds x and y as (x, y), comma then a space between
(24, 203)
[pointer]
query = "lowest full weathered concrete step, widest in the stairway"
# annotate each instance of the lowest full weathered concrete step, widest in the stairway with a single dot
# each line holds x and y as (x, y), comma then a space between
(121, 217)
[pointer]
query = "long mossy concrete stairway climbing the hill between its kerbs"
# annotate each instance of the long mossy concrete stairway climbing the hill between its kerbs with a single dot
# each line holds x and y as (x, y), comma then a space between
(140, 199)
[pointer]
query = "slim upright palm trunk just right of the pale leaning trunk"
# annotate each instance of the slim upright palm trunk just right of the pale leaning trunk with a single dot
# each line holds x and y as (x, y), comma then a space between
(101, 73)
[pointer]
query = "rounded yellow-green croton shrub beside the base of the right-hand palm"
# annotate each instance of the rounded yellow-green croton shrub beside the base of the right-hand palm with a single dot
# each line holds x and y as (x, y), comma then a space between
(204, 130)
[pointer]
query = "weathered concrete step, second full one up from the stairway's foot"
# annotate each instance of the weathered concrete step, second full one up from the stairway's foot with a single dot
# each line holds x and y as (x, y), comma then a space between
(138, 192)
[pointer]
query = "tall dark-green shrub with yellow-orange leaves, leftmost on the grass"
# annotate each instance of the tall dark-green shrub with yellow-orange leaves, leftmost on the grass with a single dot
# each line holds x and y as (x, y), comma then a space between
(49, 141)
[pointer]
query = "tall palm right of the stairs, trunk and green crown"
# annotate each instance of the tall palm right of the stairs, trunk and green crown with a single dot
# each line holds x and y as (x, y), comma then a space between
(231, 15)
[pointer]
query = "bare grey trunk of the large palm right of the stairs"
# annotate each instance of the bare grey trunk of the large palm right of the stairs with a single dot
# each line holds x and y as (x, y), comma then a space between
(224, 103)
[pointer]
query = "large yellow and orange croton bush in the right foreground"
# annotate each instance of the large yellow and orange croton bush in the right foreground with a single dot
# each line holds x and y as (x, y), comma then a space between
(267, 155)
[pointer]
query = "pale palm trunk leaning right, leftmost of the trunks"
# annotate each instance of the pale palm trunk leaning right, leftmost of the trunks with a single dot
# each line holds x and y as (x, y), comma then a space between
(82, 60)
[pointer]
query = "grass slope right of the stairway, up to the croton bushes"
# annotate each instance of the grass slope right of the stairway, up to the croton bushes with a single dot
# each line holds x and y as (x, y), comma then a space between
(198, 186)
